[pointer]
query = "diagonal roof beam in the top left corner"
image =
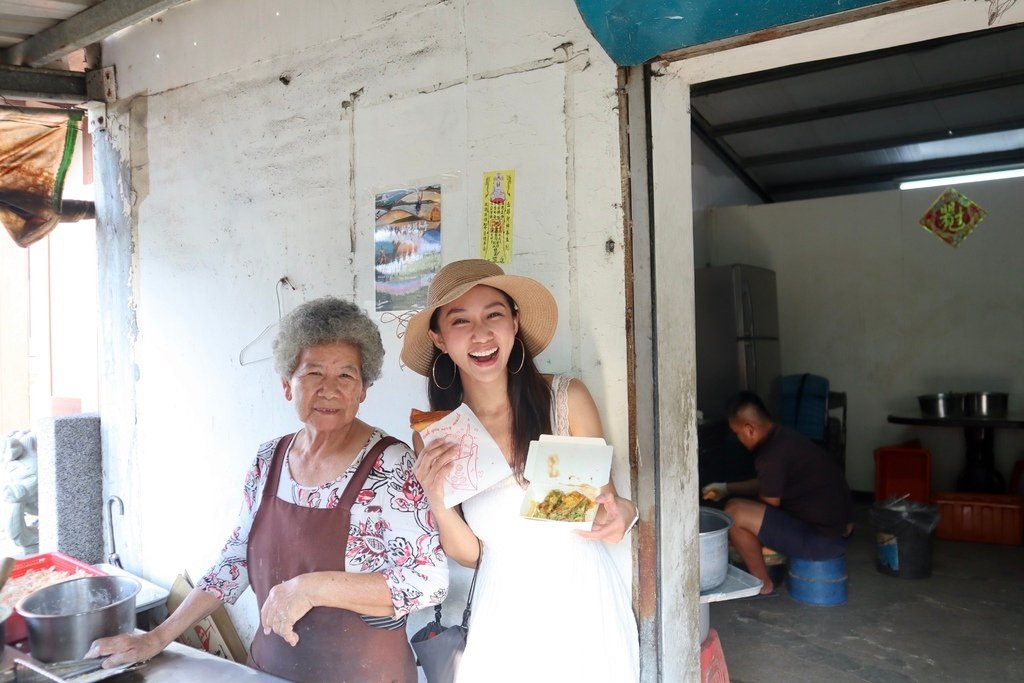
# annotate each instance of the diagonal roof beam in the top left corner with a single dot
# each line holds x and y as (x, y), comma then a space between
(84, 29)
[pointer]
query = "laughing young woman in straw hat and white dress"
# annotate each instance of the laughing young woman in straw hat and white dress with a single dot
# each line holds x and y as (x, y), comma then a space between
(550, 604)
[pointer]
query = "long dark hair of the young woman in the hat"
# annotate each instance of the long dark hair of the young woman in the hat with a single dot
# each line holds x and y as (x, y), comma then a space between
(530, 396)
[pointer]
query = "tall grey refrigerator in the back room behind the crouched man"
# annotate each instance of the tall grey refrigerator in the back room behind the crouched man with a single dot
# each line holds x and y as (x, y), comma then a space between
(738, 347)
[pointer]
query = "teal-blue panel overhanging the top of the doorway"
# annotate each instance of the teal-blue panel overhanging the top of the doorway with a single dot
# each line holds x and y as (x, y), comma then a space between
(634, 31)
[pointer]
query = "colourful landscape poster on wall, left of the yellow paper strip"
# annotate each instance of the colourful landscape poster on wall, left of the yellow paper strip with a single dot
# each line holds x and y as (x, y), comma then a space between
(407, 246)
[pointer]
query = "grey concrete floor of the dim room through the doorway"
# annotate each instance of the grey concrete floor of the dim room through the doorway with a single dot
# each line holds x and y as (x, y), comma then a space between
(963, 624)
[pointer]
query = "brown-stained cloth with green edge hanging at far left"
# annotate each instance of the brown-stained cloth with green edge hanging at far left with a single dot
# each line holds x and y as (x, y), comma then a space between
(36, 149)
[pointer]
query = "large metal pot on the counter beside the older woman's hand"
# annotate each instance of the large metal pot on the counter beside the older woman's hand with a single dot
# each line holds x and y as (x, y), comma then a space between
(65, 619)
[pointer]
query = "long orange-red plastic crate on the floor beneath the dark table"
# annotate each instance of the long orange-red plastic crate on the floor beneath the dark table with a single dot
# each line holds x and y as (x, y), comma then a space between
(980, 518)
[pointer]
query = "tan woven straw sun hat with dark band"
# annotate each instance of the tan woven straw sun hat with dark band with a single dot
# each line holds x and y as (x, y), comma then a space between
(538, 312)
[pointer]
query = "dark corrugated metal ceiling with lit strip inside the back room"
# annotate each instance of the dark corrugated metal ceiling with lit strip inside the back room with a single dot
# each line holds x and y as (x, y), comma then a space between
(867, 122)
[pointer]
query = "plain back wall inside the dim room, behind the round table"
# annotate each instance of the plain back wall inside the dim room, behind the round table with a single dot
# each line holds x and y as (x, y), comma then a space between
(887, 312)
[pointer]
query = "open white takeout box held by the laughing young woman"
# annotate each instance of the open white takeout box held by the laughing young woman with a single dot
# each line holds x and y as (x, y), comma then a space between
(568, 464)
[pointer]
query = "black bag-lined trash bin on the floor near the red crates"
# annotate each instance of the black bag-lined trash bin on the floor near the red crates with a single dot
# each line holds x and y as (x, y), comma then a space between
(904, 537)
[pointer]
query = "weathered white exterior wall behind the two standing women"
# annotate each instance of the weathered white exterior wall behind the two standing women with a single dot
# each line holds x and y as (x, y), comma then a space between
(240, 180)
